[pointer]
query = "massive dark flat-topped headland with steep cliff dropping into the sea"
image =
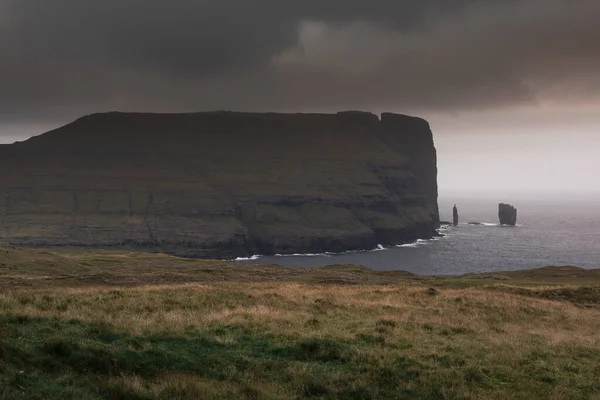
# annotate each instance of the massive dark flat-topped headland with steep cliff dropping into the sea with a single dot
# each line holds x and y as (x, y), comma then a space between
(222, 184)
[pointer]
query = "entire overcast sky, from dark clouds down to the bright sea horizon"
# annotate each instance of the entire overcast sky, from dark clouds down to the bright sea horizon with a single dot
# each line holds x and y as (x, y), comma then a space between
(511, 87)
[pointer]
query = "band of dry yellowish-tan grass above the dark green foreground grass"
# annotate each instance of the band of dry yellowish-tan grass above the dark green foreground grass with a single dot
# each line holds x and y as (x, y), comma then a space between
(170, 308)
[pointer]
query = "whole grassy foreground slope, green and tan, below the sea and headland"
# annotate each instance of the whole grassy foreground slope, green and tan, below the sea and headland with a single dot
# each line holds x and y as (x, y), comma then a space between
(138, 326)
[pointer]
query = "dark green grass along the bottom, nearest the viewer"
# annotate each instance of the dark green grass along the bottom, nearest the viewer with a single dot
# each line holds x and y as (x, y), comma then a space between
(49, 358)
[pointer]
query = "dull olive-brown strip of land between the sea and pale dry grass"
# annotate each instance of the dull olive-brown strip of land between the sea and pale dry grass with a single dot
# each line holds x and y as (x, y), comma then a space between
(133, 268)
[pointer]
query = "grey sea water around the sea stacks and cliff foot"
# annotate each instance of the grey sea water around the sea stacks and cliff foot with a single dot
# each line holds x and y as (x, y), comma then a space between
(549, 233)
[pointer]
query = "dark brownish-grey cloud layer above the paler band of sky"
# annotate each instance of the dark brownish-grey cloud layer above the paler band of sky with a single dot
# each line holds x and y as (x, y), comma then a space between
(66, 57)
